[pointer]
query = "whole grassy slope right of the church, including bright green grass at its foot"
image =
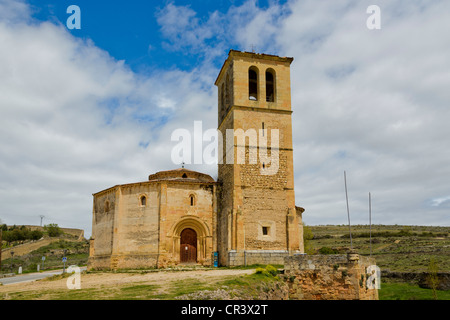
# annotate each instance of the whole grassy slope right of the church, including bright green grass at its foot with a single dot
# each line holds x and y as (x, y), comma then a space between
(395, 248)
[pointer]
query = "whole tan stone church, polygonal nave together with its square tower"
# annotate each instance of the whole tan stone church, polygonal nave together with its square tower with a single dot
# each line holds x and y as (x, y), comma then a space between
(186, 217)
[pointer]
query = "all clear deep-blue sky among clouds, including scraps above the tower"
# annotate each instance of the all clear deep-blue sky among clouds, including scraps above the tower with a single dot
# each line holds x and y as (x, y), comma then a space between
(130, 30)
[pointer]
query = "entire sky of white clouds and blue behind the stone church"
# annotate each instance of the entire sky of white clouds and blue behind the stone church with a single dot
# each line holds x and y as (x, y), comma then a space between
(84, 109)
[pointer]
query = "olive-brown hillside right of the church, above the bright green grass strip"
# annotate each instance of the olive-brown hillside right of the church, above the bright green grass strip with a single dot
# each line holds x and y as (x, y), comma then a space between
(395, 248)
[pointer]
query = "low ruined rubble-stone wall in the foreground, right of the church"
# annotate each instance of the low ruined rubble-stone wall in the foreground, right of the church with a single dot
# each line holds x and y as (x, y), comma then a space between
(328, 277)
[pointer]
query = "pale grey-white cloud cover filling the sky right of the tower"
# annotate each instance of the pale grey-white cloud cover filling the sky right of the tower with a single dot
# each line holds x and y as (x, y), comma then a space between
(387, 109)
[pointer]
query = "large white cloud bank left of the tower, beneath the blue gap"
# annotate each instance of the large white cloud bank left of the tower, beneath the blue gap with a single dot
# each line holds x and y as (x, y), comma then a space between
(73, 121)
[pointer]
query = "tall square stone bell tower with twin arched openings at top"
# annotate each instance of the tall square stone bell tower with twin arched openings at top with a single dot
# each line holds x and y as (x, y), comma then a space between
(258, 221)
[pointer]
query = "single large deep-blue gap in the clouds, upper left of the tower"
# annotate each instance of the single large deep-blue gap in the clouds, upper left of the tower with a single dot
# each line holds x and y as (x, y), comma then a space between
(128, 31)
